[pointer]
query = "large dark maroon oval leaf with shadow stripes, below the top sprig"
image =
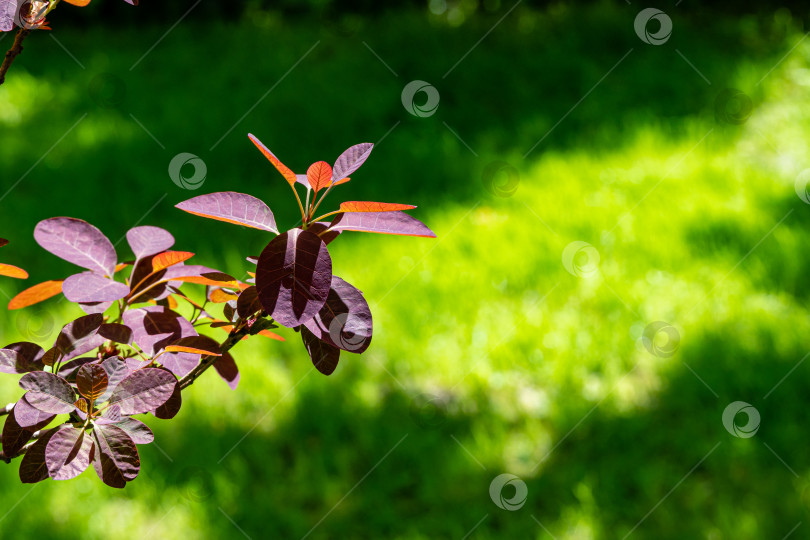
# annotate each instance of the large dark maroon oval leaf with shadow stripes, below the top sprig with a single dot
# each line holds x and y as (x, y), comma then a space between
(293, 277)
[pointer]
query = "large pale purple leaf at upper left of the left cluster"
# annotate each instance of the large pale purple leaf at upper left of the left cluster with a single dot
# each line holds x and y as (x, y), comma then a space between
(78, 242)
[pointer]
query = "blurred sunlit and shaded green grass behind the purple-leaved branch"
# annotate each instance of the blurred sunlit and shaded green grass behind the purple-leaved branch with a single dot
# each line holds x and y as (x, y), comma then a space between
(488, 356)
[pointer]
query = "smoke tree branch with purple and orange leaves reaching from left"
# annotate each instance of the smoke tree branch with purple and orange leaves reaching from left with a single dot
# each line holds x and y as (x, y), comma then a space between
(133, 353)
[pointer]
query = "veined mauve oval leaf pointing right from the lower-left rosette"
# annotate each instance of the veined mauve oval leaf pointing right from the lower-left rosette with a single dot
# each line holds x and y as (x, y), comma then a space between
(143, 391)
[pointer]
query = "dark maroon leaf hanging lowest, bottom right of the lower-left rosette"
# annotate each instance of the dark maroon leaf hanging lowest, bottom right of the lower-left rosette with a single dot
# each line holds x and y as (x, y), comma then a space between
(116, 458)
